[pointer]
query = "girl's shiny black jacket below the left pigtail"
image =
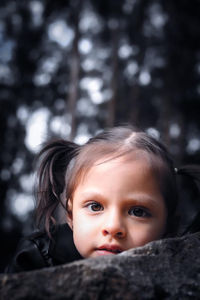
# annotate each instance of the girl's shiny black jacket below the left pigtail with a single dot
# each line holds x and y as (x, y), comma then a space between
(39, 251)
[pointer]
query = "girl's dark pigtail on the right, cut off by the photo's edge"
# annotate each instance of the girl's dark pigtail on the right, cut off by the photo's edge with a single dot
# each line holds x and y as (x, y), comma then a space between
(192, 172)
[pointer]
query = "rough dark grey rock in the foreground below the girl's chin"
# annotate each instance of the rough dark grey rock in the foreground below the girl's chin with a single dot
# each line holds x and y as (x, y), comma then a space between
(167, 269)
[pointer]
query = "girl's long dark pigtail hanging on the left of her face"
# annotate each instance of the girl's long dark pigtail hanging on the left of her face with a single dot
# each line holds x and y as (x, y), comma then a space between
(54, 160)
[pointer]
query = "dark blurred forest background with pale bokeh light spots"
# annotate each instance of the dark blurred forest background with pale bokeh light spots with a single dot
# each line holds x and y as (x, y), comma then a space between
(71, 67)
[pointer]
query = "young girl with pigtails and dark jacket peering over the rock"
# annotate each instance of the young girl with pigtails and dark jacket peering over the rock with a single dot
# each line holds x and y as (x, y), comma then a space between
(119, 191)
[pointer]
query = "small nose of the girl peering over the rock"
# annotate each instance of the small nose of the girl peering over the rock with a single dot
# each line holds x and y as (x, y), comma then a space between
(113, 226)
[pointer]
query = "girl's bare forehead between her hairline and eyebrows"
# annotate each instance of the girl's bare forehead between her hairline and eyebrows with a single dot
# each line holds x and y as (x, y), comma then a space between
(120, 177)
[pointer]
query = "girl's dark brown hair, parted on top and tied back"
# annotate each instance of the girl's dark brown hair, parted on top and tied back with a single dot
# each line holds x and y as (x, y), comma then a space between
(63, 163)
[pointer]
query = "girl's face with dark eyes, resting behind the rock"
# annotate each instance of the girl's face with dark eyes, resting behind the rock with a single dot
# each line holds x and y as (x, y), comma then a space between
(117, 206)
